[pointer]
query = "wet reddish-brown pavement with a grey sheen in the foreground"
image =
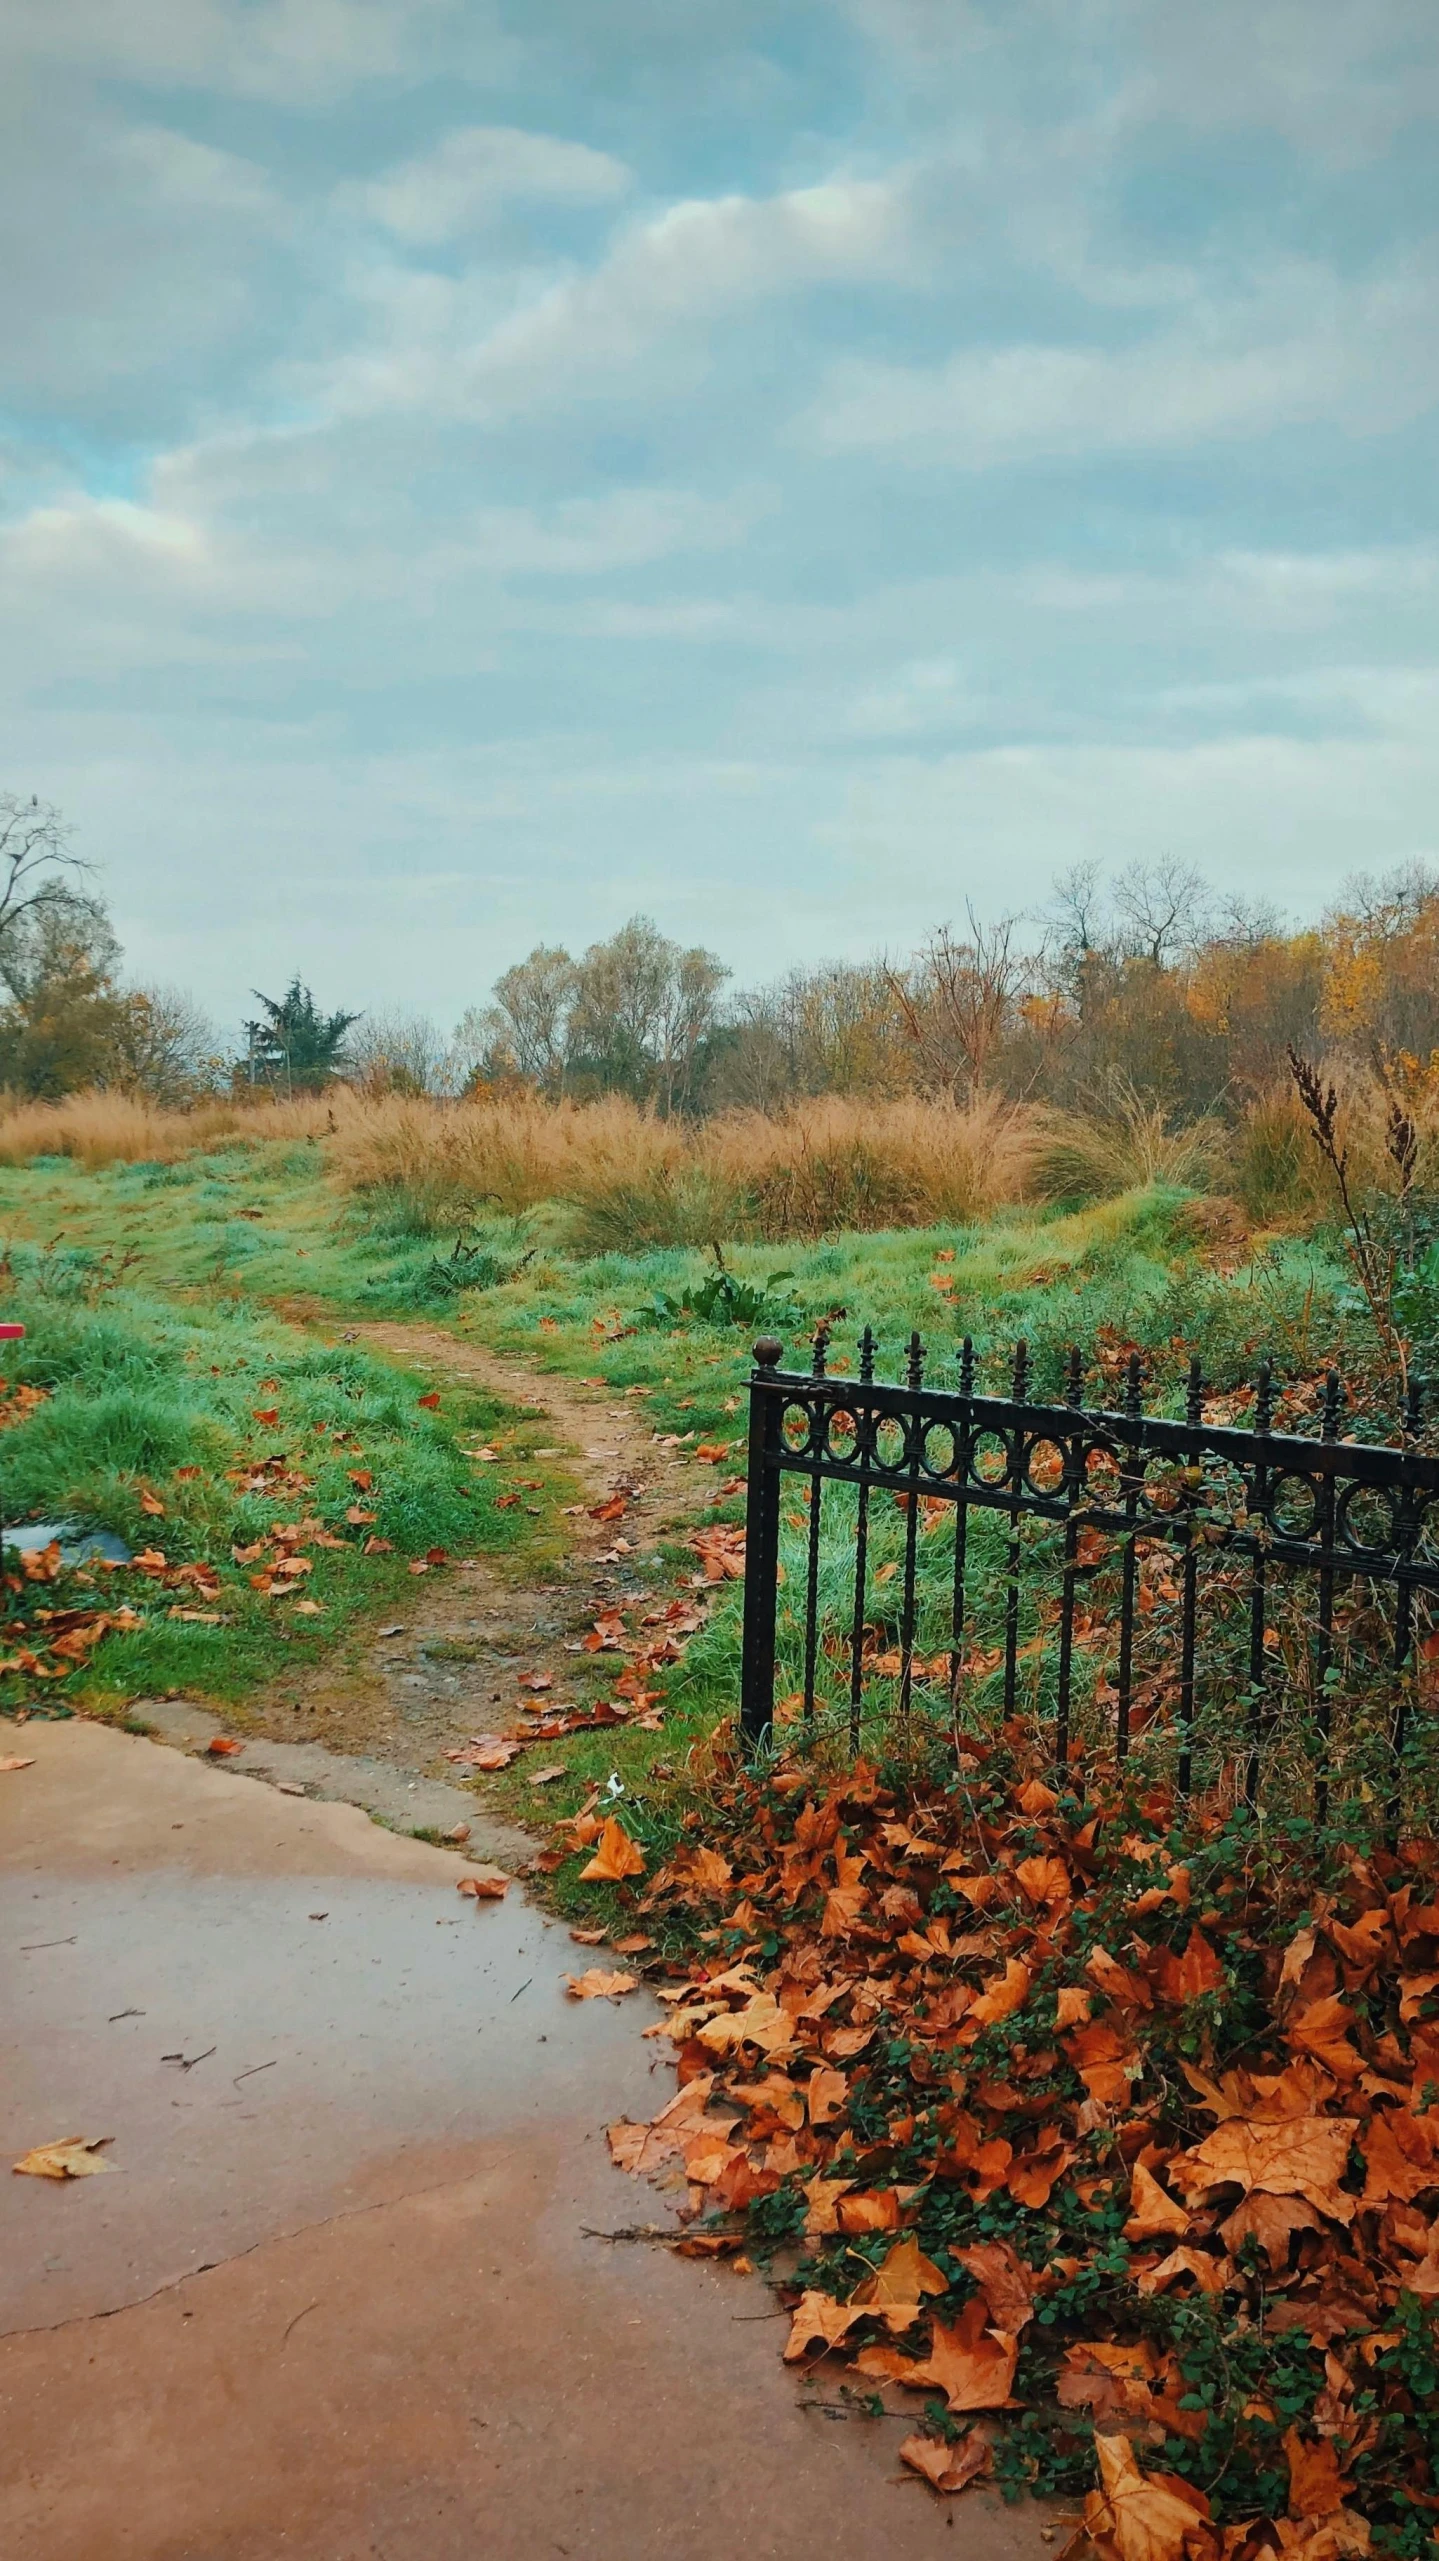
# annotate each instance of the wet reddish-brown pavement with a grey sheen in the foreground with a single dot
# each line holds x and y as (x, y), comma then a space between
(344, 2296)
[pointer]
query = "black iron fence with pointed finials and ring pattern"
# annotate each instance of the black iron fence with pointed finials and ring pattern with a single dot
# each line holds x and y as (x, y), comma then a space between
(1115, 1571)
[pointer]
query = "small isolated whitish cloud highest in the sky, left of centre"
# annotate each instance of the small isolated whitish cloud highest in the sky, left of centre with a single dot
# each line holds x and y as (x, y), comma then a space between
(475, 173)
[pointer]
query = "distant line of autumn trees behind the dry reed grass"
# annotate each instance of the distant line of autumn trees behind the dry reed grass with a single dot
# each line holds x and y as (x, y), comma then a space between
(1141, 982)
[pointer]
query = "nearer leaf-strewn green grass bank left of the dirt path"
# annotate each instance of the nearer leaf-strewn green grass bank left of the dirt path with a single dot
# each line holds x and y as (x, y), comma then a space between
(160, 1400)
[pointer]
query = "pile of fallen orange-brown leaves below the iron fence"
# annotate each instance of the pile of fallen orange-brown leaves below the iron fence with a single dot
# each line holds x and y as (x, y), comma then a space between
(1110, 2137)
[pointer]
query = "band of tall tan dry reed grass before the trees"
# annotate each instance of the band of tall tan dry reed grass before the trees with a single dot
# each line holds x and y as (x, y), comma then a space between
(631, 1179)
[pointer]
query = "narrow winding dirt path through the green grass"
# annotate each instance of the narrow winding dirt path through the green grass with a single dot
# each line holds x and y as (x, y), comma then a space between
(452, 1668)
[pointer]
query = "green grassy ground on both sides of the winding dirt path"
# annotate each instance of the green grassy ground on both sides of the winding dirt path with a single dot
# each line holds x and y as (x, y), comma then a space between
(170, 1369)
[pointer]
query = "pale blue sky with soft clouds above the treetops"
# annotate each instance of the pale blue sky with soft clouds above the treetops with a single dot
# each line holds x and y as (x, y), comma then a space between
(472, 470)
